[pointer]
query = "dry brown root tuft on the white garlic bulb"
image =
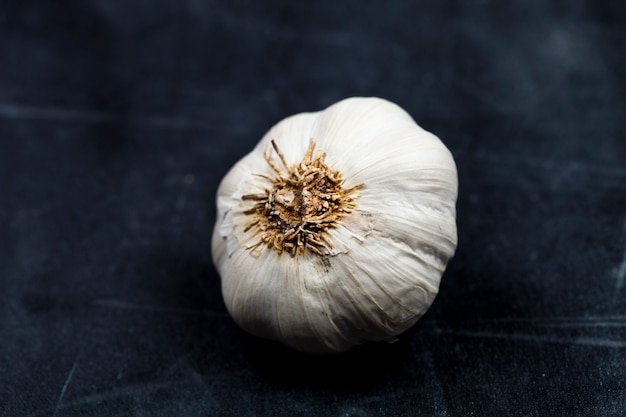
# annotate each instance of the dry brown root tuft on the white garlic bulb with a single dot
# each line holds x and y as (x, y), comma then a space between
(304, 201)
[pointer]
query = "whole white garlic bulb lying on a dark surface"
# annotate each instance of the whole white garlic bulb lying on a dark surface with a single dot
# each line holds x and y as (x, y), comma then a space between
(335, 230)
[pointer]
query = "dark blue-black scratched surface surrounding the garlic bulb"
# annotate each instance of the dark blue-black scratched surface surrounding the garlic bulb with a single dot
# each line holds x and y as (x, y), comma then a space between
(118, 119)
